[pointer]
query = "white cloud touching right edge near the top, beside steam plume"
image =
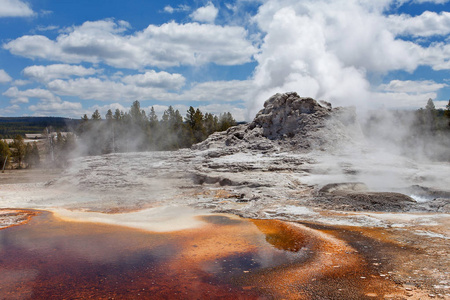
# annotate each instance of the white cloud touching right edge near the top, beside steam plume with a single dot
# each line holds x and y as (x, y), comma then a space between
(426, 24)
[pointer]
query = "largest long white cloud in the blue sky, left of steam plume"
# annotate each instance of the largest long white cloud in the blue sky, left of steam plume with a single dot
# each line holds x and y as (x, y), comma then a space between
(170, 44)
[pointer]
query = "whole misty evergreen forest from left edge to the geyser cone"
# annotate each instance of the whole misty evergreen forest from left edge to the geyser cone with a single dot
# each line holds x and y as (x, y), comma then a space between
(120, 131)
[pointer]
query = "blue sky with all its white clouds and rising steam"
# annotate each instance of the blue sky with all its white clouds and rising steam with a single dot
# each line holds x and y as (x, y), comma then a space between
(69, 58)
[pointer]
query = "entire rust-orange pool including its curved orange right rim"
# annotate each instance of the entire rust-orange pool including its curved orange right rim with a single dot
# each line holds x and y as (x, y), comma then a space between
(228, 258)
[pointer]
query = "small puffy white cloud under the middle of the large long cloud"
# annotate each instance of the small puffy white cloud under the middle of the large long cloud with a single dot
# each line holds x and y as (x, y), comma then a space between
(156, 79)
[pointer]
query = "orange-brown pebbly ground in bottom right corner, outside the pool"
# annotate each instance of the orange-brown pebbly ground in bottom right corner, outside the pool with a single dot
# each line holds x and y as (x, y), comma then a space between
(419, 266)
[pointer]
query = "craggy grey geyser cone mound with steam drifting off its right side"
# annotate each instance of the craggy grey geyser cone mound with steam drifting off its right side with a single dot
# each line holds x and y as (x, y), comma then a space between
(289, 122)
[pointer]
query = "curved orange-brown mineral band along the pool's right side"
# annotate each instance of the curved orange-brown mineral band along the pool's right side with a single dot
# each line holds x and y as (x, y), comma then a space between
(335, 270)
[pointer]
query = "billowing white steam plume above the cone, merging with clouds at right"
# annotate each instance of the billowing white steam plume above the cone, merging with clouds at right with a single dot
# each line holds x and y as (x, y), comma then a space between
(326, 50)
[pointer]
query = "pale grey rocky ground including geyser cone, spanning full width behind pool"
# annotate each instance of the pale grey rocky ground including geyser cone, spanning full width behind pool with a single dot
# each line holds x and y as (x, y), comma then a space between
(299, 161)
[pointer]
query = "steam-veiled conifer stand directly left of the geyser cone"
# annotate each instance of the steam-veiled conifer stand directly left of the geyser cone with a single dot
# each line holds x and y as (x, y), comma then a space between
(136, 130)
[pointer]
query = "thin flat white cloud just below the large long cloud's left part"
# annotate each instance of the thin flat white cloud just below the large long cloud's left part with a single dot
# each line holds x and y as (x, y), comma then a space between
(48, 73)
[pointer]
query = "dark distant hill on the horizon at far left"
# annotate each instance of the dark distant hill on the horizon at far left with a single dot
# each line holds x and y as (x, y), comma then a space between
(12, 126)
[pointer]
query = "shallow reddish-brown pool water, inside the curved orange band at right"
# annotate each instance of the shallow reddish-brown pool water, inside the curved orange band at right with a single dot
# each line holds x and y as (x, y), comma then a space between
(50, 258)
